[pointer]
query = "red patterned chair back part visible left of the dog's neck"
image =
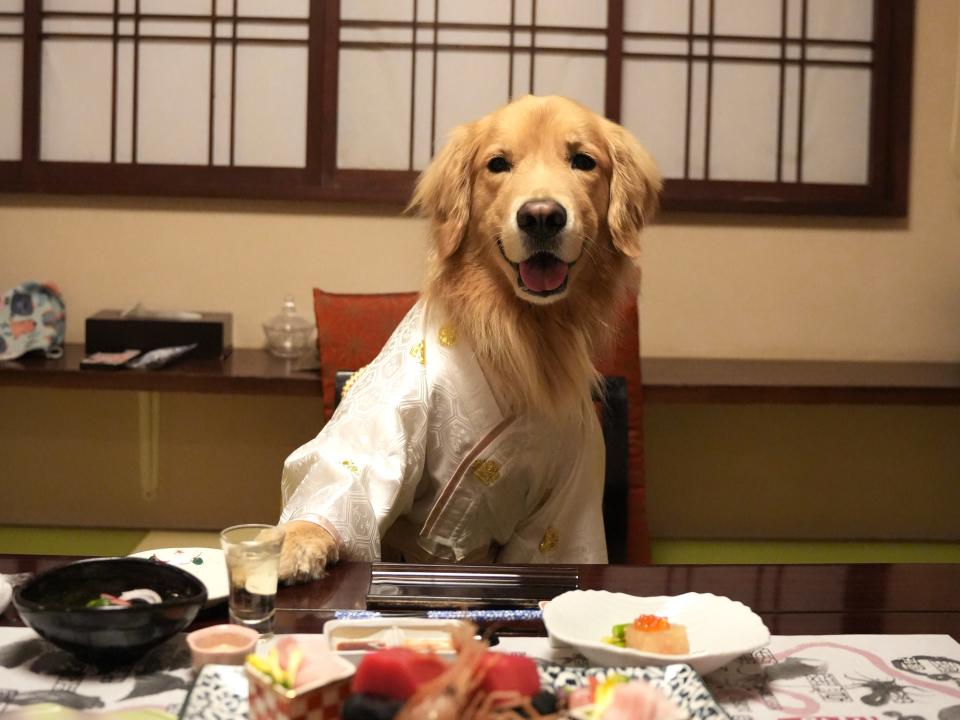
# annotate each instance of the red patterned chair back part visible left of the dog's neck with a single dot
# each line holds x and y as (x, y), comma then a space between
(351, 330)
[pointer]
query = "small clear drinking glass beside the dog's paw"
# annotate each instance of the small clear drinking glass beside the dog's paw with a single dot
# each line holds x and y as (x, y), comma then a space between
(252, 553)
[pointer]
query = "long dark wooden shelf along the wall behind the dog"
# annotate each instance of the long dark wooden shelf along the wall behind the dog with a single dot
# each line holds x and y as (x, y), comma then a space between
(665, 380)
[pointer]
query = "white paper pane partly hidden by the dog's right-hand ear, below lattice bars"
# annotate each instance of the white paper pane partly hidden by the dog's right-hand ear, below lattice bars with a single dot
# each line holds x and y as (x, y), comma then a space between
(654, 109)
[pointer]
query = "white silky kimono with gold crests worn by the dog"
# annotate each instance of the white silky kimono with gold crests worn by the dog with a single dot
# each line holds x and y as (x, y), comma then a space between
(420, 463)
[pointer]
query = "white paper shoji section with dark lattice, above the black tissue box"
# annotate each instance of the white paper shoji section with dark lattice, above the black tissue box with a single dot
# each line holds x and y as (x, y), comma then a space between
(181, 82)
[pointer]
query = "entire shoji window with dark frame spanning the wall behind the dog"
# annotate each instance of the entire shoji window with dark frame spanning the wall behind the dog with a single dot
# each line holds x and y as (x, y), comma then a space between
(747, 105)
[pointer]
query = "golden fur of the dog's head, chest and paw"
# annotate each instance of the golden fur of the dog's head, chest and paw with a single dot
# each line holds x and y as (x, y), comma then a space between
(535, 350)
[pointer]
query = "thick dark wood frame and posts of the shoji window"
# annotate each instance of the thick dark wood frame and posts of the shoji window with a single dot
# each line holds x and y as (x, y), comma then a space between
(885, 194)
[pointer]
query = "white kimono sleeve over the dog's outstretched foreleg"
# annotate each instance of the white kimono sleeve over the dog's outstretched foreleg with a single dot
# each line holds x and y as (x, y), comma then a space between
(360, 473)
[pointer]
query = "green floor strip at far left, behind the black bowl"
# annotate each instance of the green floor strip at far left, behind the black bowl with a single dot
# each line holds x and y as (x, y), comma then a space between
(68, 541)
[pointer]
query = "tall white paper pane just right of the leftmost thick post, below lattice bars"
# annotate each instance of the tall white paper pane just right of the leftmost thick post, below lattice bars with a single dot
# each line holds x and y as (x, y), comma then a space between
(75, 100)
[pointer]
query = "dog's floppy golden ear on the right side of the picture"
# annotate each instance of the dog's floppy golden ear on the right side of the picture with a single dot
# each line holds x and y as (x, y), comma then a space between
(634, 189)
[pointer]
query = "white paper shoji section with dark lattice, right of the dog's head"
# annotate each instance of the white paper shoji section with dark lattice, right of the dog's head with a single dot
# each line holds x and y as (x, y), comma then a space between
(751, 90)
